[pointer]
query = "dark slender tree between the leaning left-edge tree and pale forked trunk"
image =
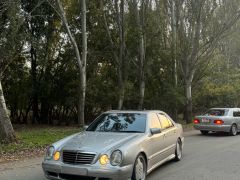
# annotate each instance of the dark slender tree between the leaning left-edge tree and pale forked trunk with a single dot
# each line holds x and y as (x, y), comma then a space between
(36, 15)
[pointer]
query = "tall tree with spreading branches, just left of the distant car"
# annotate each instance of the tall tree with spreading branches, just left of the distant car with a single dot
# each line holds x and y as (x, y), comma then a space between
(199, 32)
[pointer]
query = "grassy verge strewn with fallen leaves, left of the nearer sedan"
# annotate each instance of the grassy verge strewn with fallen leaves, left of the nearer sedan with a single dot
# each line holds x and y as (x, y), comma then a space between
(33, 141)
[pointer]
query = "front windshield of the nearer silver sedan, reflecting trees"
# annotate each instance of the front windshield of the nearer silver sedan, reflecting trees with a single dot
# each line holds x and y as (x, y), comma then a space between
(119, 122)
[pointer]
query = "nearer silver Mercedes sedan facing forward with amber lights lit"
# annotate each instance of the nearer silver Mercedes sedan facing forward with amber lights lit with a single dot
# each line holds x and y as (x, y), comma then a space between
(118, 145)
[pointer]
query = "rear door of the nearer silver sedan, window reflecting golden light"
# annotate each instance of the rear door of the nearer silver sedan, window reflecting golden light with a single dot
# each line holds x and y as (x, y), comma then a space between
(170, 133)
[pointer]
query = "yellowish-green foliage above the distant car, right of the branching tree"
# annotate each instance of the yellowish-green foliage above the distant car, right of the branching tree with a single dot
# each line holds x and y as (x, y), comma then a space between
(220, 87)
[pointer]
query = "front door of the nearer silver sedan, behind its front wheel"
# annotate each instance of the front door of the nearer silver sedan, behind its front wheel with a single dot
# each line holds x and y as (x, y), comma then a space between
(155, 144)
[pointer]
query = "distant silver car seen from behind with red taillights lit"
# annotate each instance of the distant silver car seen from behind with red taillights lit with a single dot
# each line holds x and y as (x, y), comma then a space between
(219, 120)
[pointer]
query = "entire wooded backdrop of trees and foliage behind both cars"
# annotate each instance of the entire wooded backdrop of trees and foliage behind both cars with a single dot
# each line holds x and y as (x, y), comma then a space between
(64, 62)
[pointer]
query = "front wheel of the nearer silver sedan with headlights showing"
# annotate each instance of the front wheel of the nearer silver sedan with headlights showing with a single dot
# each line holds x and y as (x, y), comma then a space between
(140, 168)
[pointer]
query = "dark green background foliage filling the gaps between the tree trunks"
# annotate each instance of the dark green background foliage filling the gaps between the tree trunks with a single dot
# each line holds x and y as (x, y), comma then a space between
(57, 79)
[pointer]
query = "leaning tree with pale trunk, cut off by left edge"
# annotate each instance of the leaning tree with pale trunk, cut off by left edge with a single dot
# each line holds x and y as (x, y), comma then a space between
(9, 47)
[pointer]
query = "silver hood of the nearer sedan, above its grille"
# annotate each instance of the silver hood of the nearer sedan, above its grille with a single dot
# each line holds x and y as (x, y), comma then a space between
(98, 141)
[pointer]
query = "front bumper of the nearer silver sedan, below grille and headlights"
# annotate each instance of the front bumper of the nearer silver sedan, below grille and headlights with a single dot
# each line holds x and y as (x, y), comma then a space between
(60, 171)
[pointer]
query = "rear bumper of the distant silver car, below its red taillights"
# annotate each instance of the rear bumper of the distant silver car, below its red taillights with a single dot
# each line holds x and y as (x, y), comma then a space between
(216, 128)
